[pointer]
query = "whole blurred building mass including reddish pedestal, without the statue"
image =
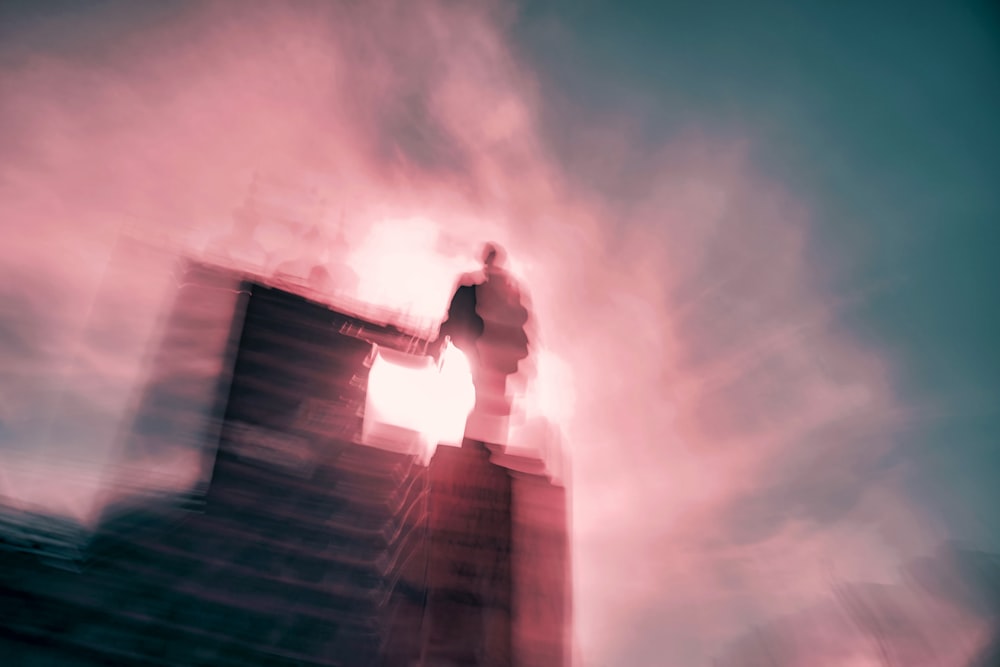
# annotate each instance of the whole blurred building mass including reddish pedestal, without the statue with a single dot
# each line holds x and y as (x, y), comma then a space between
(299, 545)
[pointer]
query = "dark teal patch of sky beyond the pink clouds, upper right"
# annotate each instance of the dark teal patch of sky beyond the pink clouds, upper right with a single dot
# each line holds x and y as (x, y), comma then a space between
(882, 118)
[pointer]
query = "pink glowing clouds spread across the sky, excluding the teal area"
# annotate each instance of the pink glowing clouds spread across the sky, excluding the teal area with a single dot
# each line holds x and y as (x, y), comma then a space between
(728, 439)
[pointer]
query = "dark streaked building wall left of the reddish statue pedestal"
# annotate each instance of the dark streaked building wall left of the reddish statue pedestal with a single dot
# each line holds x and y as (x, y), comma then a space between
(320, 561)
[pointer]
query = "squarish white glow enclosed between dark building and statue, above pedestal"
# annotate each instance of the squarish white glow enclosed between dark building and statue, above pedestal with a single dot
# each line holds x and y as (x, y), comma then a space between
(414, 405)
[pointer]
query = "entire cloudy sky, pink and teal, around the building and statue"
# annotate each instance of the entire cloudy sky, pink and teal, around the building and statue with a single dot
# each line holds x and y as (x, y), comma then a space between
(759, 236)
